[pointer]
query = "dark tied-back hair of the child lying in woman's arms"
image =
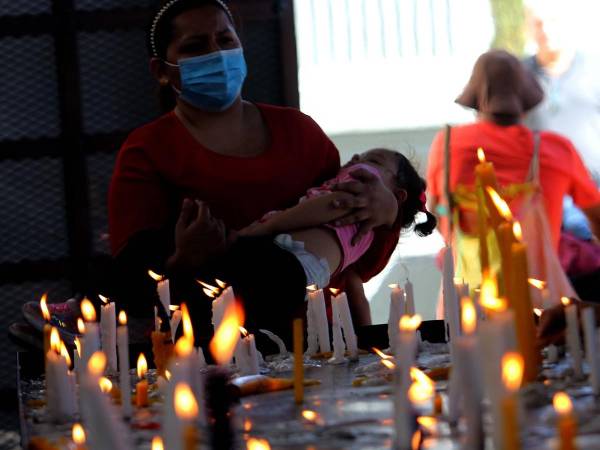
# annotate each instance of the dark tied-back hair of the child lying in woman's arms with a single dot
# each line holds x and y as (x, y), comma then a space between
(409, 179)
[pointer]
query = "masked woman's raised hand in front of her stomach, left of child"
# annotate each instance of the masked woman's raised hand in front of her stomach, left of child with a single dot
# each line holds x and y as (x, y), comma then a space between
(198, 236)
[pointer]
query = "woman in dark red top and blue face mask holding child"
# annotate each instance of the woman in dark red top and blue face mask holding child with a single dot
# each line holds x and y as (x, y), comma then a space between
(240, 159)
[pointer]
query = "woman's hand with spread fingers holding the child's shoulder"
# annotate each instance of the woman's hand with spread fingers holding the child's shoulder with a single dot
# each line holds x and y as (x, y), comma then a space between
(372, 204)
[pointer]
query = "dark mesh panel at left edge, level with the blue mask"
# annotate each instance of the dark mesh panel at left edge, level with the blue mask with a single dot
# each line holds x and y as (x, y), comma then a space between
(29, 106)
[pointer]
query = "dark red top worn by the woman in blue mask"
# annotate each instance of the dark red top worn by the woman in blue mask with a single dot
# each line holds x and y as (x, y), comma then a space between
(161, 163)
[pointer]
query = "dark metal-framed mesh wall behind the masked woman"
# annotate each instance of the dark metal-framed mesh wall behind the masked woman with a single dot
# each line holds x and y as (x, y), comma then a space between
(74, 81)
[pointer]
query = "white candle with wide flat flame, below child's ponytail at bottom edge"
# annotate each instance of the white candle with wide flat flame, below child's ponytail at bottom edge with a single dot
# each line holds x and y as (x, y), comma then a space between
(405, 358)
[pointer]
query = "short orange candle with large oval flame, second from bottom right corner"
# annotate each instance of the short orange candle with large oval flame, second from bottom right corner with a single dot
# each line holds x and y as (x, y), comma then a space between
(512, 376)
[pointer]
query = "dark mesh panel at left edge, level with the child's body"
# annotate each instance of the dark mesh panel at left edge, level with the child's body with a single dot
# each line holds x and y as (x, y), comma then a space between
(33, 215)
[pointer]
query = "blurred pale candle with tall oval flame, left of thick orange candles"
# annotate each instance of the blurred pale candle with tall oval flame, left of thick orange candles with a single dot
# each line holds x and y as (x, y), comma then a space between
(467, 365)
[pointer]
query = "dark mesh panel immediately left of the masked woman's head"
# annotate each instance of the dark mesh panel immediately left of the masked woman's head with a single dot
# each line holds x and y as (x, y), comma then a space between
(117, 88)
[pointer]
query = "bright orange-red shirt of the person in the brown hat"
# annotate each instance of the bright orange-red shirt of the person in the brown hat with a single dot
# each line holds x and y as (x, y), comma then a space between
(510, 149)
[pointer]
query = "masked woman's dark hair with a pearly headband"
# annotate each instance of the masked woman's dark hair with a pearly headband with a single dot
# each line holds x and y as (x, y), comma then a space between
(160, 33)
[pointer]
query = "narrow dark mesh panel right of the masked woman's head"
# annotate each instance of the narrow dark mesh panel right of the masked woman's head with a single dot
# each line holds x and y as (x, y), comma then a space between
(263, 55)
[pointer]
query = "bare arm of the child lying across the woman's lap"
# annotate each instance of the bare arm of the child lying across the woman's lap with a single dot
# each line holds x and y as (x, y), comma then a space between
(309, 213)
